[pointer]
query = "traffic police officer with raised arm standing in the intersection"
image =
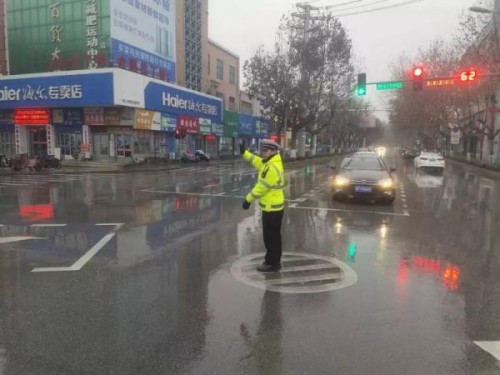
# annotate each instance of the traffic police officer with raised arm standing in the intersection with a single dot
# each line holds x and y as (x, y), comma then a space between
(269, 191)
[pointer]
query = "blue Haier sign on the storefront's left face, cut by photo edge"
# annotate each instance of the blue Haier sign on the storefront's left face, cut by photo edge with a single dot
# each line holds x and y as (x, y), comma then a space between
(76, 90)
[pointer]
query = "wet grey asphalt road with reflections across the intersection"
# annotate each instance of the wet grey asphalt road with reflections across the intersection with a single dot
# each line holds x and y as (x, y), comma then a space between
(152, 273)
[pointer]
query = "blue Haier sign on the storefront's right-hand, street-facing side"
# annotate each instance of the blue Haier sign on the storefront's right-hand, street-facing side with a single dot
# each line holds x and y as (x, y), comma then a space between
(166, 98)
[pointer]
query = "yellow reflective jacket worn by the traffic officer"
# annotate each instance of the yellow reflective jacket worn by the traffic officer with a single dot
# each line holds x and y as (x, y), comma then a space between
(270, 184)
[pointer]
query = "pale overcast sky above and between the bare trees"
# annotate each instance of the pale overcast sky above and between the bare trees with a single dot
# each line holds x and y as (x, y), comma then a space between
(379, 38)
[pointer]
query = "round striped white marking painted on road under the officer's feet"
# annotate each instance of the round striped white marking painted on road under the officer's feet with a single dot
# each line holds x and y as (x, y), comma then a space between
(300, 273)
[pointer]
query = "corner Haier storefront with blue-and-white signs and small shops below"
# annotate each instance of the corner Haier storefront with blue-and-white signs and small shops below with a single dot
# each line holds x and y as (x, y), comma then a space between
(110, 113)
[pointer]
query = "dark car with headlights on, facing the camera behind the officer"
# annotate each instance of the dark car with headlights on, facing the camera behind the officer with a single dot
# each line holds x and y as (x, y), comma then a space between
(366, 177)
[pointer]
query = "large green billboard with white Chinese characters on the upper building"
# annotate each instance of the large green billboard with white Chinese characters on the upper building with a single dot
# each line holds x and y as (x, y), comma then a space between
(46, 36)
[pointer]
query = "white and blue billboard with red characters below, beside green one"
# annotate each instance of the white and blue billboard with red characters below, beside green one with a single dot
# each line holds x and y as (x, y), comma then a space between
(143, 37)
